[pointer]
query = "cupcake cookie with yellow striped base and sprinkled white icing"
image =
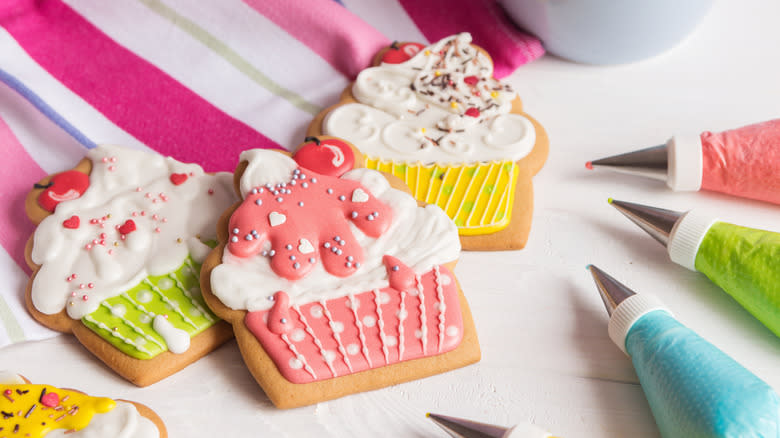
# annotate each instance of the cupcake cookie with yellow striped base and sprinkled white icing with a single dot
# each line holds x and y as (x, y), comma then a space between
(436, 118)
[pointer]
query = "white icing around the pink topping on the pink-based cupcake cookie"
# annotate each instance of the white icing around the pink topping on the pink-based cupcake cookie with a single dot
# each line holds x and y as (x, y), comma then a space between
(421, 237)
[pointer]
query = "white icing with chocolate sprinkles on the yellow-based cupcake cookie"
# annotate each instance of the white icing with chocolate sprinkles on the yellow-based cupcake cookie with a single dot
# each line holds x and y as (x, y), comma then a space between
(405, 111)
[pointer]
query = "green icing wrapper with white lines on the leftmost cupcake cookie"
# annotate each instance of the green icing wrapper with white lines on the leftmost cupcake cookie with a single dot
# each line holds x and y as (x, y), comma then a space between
(126, 320)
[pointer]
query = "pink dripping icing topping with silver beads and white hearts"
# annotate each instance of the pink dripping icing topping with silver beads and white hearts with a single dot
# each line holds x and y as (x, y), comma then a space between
(306, 220)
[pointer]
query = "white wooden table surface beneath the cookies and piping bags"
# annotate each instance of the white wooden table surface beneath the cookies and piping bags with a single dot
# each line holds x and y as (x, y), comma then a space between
(542, 327)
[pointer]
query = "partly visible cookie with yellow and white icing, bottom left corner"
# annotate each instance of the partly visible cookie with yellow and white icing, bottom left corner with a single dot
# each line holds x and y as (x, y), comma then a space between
(36, 411)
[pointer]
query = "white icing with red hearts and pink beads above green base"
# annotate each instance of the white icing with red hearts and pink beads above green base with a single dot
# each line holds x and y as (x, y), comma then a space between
(124, 181)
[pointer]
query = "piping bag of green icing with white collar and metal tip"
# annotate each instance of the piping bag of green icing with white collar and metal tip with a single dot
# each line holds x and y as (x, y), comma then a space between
(744, 262)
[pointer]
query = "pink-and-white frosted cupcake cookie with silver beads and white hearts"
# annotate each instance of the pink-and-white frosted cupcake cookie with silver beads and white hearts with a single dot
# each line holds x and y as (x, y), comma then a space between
(334, 281)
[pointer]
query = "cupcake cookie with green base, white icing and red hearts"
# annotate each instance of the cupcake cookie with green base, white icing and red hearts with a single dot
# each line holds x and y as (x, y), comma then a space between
(116, 258)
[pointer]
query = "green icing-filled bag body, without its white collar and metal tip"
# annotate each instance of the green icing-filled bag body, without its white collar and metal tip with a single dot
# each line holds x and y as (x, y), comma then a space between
(744, 262)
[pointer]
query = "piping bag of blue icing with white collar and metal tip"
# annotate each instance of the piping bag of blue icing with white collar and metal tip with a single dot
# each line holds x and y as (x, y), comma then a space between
(693, 388)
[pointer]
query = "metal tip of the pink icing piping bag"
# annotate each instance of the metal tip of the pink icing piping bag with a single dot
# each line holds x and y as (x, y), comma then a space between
(652, 162)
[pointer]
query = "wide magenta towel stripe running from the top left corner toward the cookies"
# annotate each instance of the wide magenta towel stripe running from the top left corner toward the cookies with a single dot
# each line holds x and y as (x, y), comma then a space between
(132, 93)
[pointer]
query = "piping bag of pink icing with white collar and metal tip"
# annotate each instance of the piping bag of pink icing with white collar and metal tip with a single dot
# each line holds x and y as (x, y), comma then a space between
(743, 162)
